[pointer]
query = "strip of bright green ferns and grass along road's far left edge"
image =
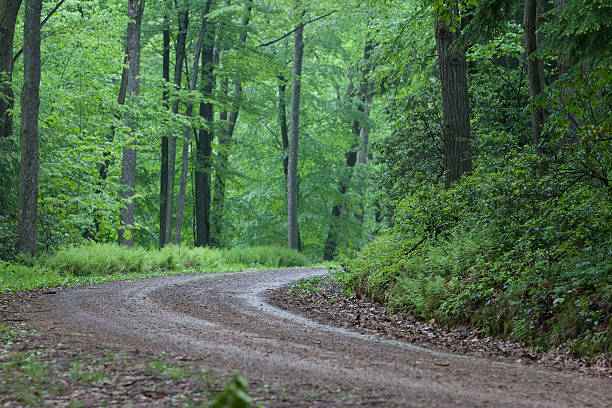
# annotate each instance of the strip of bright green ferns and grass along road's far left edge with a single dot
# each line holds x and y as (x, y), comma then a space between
(102, 262)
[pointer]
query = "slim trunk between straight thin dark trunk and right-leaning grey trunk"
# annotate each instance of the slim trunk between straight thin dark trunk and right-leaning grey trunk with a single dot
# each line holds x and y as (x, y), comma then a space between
(181, 40)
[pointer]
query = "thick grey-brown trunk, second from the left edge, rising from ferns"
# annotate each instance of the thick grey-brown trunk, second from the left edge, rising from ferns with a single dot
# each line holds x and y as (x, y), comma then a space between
(30, 102)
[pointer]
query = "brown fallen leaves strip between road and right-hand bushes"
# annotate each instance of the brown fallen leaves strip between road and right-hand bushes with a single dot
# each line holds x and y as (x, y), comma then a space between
(325, 302)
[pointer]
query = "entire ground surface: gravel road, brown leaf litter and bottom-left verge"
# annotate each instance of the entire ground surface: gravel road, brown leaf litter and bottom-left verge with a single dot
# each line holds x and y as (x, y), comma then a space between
(172, 341)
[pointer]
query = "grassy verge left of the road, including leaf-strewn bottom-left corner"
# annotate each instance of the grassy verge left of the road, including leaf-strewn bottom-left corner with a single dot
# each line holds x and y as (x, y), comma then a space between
(47, 369)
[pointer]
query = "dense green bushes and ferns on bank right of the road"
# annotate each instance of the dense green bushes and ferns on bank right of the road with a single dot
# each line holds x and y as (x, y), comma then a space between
(515, 255)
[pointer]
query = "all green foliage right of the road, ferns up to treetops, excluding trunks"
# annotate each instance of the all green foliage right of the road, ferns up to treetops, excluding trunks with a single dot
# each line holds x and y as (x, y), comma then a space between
(521, 246)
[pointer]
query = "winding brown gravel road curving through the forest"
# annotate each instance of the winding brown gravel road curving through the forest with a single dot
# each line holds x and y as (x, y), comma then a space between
(223, 322)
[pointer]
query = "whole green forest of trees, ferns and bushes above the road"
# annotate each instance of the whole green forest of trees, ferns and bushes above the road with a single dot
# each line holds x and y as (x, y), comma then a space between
(454, 157)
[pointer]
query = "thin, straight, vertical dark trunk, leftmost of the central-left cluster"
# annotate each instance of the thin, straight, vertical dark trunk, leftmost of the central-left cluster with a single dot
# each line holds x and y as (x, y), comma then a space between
(163, 182)
